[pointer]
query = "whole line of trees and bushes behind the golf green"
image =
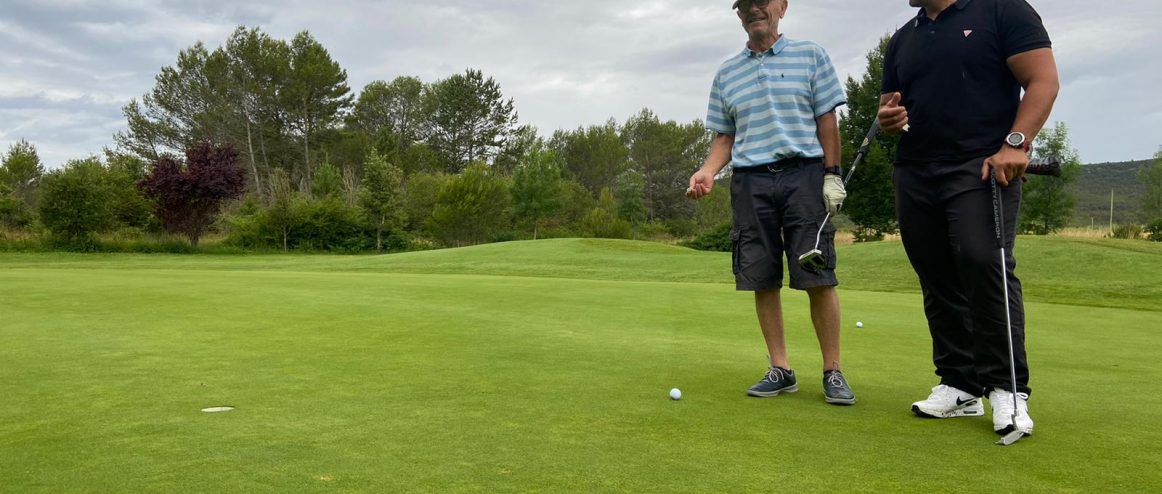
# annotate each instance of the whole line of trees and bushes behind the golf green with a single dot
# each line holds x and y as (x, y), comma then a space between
(270, 133)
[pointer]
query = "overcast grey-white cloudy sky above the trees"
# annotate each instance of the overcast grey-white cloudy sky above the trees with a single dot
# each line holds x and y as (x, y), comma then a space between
(70, 66)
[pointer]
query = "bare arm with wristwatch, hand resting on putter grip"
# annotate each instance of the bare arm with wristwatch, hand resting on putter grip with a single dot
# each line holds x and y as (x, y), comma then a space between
(1037, 71)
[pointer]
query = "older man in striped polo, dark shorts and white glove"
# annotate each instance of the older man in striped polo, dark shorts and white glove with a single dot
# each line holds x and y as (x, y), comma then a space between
(773, 108)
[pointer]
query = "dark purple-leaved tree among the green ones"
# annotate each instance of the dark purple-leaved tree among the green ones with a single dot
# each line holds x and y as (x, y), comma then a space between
(189, 198)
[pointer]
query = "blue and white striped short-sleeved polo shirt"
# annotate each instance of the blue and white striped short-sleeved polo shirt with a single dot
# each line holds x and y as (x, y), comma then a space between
(770, 102)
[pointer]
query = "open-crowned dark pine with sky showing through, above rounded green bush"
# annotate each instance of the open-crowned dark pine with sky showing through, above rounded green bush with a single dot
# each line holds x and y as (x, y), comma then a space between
(471, 119)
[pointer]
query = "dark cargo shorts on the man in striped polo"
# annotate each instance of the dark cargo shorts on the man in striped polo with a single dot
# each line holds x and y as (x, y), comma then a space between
(779, 210)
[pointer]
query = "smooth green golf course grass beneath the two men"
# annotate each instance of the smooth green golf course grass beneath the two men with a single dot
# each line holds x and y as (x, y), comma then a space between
(544, 367)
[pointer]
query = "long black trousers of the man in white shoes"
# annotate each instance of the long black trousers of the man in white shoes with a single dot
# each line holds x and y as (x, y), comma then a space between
(948, 227)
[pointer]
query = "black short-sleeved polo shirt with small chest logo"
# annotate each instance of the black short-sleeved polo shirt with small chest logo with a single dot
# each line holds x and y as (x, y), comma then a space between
(953, 76)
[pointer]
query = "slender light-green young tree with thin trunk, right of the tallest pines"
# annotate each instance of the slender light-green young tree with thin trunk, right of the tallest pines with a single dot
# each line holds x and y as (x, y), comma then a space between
(382, 197)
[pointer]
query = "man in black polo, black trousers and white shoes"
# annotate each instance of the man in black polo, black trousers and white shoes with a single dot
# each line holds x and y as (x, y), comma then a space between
(952, 83)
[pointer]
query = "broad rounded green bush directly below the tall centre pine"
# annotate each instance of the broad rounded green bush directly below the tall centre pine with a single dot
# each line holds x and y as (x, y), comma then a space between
(471, 206)
